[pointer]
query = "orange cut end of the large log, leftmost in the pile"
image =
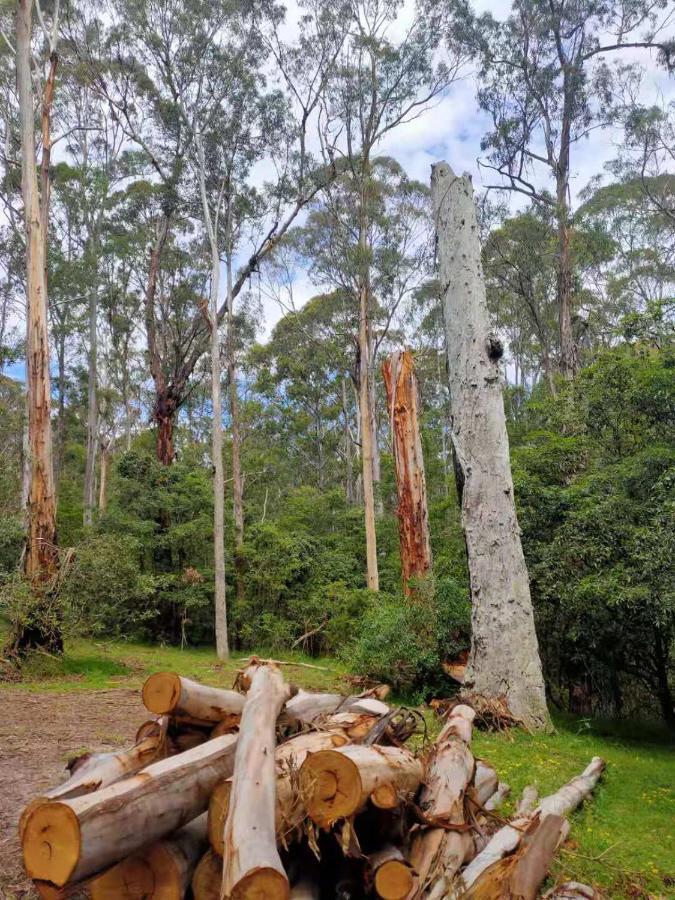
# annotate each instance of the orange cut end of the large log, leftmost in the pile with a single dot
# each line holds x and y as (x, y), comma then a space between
(51, 843)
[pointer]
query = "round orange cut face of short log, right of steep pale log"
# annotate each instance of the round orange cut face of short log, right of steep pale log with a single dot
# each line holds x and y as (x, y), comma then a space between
(331, 786)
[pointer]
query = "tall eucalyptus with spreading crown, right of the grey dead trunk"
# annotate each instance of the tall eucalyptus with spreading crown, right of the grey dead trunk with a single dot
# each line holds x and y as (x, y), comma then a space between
(545, 81)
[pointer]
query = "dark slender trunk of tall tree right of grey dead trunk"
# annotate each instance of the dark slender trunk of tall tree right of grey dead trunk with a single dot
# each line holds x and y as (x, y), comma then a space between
(568, 348)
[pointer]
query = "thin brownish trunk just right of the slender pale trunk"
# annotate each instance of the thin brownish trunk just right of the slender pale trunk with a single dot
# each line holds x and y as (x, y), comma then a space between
(237, 478)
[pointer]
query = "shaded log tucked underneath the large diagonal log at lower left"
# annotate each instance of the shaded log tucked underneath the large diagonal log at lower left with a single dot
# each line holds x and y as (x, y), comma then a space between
(162, 871)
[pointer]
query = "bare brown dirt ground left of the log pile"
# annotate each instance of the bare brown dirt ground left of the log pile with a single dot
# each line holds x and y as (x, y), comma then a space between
(38, 734)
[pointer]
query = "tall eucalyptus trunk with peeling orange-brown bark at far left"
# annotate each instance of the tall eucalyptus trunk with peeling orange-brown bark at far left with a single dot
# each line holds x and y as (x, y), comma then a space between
(41, 558)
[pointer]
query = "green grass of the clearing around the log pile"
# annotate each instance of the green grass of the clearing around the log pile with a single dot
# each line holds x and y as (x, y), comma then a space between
(623, 841)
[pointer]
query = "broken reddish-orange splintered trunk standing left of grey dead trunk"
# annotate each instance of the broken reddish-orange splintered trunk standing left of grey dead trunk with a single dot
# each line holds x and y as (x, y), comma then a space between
(412, 511)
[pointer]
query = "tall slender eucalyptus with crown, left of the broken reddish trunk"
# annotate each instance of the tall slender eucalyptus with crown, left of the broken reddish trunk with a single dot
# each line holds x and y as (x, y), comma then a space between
(387, 76)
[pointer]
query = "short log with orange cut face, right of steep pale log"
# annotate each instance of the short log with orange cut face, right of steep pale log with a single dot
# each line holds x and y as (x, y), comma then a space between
(338, 783)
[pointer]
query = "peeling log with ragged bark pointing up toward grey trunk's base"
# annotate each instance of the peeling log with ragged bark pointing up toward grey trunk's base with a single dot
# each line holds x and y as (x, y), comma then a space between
(437, 853)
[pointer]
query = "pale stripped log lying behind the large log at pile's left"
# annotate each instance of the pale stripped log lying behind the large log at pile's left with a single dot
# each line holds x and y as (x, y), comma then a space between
(93, 771)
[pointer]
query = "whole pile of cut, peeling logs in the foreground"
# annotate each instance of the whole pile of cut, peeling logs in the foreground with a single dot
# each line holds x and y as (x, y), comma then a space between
(266, 792)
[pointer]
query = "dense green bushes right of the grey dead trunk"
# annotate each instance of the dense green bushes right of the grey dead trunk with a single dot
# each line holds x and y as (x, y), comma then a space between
(597, 509)
